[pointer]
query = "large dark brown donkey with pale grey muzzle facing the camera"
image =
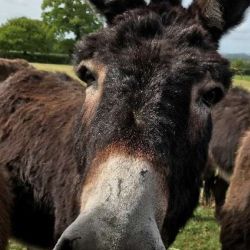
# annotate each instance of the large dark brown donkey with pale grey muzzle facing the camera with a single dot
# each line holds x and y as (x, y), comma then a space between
(141, 138)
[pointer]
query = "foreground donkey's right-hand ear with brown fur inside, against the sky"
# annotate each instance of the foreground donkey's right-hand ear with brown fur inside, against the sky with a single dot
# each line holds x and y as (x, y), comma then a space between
(219, 16)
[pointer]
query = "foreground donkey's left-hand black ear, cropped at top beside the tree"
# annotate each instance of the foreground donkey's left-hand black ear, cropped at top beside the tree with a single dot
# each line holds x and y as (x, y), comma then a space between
(111, 8)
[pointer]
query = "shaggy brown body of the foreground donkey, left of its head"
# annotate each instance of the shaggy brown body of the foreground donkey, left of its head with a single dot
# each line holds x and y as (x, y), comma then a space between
(38, 111)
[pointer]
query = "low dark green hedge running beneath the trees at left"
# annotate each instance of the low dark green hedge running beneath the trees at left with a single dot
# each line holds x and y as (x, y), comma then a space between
(37, 57)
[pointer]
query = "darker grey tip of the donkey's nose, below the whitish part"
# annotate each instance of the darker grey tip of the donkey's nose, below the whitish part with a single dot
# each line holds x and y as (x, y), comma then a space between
(102, 232)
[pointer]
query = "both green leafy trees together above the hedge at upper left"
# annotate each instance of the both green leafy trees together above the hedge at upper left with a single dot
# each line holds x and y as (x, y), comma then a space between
(63, 23)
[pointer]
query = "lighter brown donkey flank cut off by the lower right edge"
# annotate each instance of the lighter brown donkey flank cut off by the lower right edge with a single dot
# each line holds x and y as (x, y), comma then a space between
(235, 215)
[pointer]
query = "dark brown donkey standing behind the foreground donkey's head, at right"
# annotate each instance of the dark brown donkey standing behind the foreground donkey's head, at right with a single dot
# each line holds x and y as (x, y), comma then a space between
(231, 120)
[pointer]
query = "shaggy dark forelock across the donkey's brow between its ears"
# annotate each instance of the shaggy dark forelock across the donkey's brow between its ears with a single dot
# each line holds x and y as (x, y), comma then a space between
(161, 23)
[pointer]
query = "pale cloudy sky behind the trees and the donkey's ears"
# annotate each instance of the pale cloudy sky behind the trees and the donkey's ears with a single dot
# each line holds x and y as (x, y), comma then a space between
(237, 41)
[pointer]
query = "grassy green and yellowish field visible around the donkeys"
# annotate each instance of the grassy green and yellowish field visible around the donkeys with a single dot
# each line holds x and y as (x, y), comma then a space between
(202, 232)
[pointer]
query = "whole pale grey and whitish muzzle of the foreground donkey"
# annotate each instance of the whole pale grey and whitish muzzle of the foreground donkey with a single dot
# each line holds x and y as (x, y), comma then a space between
(123, 207)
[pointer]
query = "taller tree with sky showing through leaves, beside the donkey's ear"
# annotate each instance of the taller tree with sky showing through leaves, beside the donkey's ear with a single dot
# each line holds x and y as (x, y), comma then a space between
(70, 16)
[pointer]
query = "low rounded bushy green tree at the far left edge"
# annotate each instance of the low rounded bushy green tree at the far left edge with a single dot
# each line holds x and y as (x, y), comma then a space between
(26, 35)
